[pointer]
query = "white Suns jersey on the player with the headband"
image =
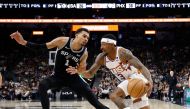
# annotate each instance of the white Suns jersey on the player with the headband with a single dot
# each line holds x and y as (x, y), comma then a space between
(121, 71)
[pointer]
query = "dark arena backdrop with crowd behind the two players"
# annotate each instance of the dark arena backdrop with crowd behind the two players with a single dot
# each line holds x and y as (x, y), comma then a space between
(164, 50)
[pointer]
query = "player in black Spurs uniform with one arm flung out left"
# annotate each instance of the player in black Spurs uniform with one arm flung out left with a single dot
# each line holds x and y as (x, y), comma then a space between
(71, 52)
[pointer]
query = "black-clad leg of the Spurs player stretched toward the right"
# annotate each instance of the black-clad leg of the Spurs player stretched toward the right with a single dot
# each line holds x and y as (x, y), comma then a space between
(79, 86)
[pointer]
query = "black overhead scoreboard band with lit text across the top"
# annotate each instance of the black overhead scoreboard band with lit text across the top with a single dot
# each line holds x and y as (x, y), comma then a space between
(95, 10)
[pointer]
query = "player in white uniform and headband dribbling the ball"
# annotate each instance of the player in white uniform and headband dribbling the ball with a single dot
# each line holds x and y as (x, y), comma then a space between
(123, 64)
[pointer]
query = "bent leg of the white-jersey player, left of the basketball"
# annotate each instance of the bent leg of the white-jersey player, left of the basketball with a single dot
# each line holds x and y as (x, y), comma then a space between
(118, 95)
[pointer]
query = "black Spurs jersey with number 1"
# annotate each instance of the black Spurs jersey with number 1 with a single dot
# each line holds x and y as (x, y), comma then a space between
(65, 57)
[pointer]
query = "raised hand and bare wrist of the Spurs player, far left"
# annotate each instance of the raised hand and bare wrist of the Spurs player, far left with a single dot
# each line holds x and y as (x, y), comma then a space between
(18, 37)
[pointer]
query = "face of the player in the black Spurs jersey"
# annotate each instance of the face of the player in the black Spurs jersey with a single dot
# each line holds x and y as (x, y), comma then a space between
(83, 37)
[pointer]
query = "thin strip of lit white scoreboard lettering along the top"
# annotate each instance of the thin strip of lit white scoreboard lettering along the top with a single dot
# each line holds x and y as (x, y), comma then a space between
(94, 5)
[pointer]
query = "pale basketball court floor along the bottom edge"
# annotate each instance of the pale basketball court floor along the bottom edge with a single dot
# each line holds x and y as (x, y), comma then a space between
(155, 104)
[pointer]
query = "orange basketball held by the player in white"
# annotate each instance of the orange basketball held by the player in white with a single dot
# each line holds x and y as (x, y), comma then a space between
(136, 88)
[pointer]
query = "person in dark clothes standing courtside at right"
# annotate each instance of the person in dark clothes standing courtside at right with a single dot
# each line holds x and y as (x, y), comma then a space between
(172, 81)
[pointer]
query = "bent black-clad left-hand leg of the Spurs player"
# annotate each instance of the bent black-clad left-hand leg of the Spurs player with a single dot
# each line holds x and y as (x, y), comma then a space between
(45, 85)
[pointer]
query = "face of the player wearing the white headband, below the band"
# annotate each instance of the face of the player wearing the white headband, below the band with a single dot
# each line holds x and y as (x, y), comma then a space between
(106, 47)
